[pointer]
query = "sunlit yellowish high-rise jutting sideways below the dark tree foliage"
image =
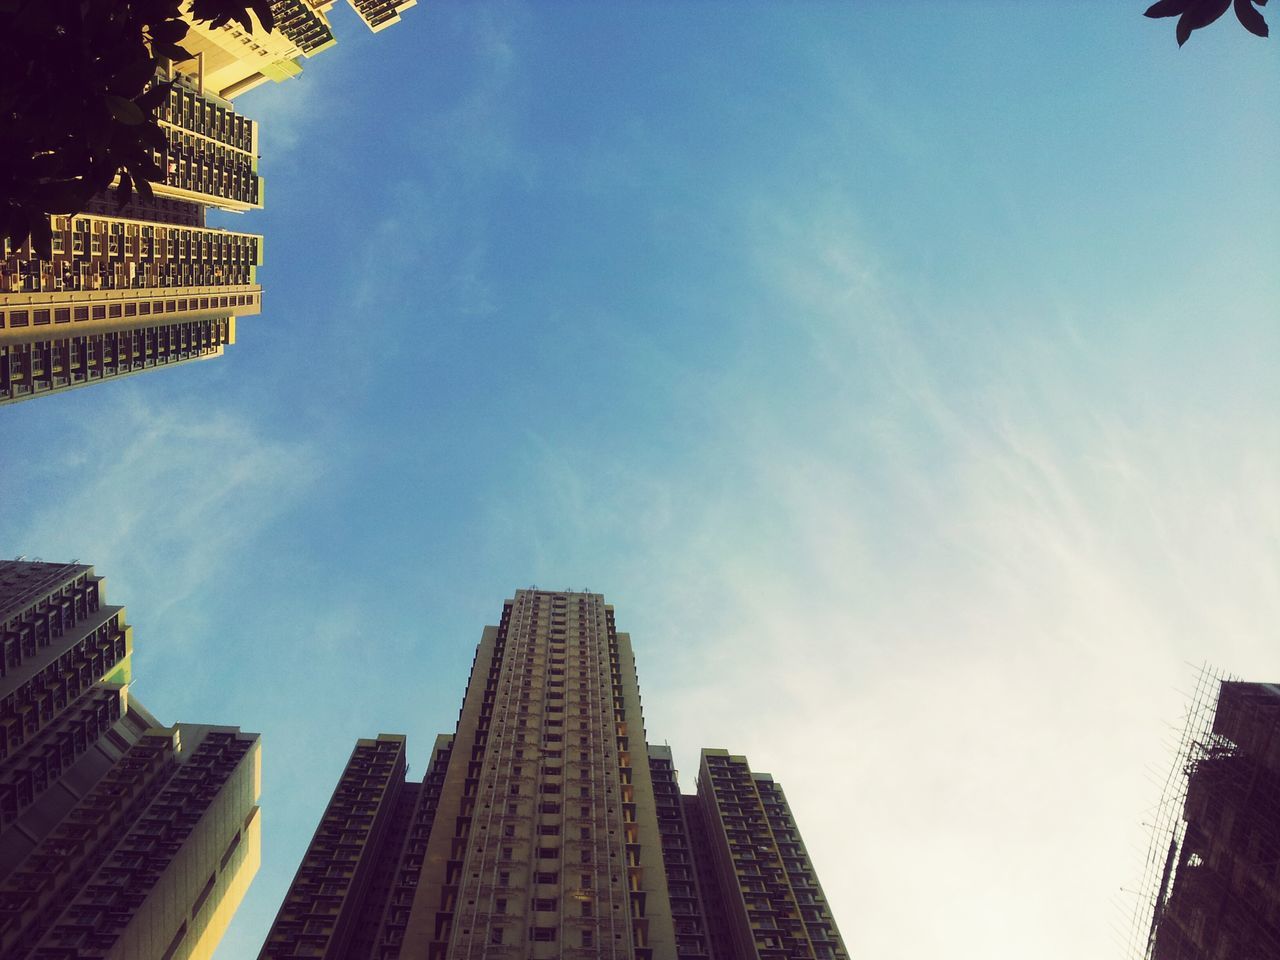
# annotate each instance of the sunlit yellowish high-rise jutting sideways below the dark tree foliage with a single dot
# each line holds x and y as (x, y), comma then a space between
(149, 286)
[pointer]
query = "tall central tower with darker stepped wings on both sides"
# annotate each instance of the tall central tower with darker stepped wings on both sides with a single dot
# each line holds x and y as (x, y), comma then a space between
(547, 826)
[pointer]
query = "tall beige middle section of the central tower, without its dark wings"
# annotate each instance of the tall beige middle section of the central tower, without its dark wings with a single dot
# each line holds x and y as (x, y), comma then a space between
(546, 840)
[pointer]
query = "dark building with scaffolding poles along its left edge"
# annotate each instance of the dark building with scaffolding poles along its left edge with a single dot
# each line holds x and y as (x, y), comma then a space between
(1214, 876)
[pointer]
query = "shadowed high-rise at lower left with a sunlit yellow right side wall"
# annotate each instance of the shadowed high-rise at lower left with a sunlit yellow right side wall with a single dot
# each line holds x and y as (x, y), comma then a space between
(121, 839)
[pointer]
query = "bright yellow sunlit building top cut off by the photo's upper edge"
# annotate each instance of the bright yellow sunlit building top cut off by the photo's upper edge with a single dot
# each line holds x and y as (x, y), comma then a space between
(230, 61)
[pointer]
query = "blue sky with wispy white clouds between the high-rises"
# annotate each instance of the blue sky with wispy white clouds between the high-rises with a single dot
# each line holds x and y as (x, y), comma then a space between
(903, 373)
